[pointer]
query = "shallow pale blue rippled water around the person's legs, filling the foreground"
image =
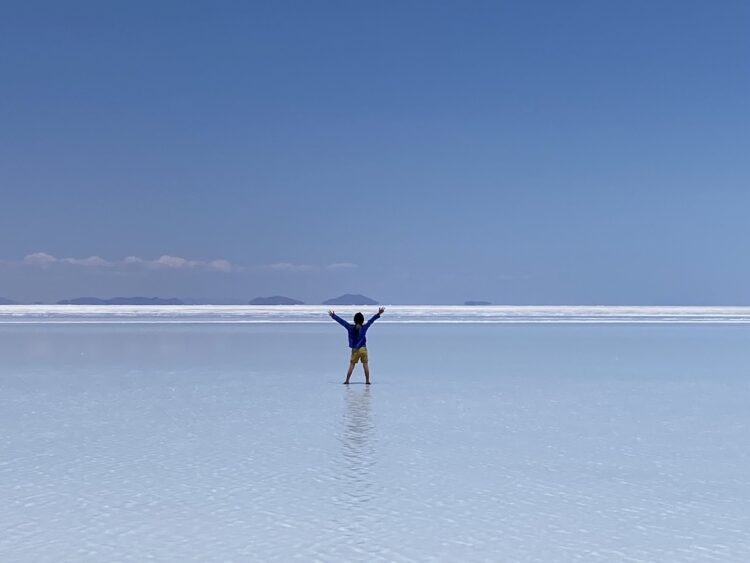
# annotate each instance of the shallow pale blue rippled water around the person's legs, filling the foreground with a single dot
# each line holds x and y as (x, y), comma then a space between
(476, 442)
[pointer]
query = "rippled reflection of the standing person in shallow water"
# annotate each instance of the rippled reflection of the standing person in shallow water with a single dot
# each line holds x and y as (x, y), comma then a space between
(358, 452)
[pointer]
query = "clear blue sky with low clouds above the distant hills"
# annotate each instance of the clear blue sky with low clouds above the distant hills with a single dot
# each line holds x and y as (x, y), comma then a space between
(418, 152)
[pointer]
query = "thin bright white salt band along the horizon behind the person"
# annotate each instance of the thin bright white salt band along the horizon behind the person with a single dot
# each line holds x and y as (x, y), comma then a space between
(432, 314)
